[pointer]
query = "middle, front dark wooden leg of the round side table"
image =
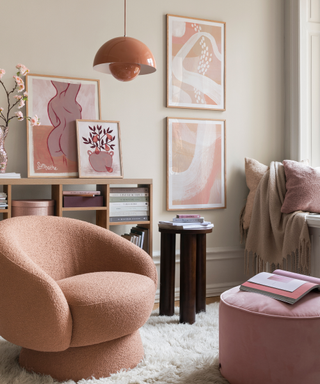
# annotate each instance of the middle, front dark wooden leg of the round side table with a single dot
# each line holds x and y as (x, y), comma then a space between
(188, 278)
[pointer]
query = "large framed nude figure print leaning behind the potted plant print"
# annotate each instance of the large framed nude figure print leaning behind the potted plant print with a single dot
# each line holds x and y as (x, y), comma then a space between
(58, 102)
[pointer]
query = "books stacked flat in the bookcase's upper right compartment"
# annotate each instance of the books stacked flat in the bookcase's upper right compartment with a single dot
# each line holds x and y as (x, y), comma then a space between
(129, 204)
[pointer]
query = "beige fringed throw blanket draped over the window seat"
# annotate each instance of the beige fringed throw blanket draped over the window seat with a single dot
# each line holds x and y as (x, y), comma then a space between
(275, 239)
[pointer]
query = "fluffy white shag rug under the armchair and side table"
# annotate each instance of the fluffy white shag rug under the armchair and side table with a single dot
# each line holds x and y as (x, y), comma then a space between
(174, 354)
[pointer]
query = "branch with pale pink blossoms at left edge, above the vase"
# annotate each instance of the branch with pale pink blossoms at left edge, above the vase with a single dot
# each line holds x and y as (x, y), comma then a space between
(20, 99)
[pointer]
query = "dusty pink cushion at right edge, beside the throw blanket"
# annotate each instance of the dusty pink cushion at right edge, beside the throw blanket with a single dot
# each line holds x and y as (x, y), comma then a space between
(303, 186)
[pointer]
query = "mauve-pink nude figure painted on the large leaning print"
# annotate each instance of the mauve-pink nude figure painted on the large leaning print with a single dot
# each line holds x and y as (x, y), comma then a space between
(63, 110)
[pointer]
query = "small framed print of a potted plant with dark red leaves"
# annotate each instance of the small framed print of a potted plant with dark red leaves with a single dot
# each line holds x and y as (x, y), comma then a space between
(99, 149)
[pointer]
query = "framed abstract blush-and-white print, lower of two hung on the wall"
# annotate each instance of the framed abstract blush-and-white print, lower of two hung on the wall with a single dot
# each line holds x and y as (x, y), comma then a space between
(195, 164)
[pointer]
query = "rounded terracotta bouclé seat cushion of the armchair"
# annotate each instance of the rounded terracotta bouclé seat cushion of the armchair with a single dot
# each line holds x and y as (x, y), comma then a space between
(107, 305)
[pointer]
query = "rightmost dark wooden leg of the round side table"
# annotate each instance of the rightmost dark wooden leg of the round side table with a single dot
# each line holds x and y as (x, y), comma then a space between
(201, 273)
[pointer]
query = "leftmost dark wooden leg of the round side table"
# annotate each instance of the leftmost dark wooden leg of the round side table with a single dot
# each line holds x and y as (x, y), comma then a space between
(167, 272)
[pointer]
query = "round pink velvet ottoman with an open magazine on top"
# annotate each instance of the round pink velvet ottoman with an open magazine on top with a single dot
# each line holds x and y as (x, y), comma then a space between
(266, 341)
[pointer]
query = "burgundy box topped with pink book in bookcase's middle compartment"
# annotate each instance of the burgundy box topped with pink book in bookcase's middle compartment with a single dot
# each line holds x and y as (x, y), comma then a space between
(82, 199)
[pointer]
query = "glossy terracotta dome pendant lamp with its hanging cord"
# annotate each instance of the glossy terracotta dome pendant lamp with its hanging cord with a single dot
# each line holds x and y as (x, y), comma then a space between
(124, 57)
